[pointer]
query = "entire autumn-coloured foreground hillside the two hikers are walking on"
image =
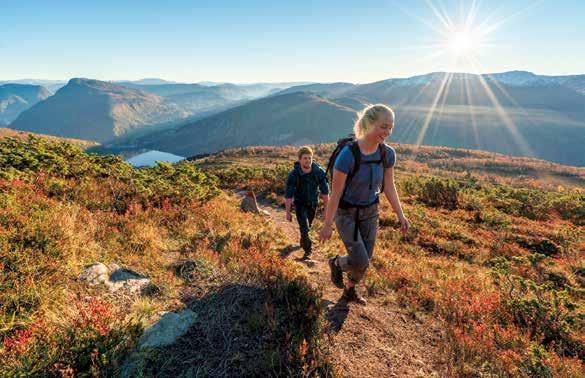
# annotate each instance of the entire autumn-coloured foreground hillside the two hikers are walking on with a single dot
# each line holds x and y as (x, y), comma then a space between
(488, 282)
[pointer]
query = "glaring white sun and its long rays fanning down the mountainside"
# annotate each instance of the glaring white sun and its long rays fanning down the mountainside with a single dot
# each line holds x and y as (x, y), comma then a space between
(463, 35)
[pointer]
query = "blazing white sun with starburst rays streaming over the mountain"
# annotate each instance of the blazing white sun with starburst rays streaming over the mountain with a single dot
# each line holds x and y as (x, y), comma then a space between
(463, 38)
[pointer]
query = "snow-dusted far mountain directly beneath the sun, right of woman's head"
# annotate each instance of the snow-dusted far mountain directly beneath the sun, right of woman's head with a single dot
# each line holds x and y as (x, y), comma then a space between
(517, 113)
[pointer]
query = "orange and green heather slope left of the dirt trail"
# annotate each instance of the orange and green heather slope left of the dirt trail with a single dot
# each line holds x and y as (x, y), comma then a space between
(63, 209)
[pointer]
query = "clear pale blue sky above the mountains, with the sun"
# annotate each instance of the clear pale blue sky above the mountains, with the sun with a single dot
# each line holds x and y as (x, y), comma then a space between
(268, 41)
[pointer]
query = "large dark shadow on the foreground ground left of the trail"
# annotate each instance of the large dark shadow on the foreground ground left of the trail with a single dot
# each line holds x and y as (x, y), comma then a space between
(240, 330)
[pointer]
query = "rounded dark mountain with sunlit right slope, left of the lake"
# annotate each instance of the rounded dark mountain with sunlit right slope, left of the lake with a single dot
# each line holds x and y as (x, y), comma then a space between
(96, 110)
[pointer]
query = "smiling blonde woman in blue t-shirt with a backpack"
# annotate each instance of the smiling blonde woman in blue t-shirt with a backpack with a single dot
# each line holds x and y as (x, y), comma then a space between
(363, 168)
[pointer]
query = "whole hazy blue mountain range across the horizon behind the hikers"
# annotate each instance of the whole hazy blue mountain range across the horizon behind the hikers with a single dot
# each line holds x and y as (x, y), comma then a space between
(517, 113)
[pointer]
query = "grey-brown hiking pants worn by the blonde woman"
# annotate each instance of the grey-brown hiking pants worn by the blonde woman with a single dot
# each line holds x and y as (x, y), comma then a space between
(360, 251)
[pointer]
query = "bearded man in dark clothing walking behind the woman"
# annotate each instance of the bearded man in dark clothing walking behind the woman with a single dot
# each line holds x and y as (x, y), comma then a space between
(304, 182)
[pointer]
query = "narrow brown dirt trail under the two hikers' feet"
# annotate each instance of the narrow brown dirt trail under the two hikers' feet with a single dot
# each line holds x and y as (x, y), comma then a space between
(379, 340)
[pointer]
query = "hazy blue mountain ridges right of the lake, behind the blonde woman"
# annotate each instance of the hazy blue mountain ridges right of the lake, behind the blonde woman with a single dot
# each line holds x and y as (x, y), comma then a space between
(515, 113)
